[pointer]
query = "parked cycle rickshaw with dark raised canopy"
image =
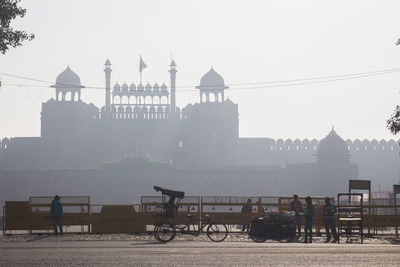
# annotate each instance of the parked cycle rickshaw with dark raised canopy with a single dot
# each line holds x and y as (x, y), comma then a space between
(166, 229)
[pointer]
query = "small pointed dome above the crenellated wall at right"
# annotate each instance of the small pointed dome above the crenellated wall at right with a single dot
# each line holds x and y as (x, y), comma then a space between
(332, 144)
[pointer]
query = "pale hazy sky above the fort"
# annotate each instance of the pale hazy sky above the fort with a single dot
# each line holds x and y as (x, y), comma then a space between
(245, 41)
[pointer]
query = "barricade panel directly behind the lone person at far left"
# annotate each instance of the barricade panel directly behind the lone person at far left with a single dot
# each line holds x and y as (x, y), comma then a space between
(76, 212)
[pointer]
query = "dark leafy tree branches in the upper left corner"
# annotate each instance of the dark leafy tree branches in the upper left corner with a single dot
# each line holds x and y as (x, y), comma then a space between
(9, 37)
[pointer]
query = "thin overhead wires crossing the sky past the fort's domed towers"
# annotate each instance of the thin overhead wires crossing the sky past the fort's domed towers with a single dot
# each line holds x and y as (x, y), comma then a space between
(241, 86)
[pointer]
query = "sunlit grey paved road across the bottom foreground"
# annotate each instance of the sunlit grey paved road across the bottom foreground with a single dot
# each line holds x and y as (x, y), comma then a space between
(194, 253)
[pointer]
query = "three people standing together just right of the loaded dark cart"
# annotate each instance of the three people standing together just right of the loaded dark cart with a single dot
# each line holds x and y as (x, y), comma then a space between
(328, 212)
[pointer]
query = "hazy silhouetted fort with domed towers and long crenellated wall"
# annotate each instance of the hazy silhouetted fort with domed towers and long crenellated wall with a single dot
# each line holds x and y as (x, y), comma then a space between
(142, 120)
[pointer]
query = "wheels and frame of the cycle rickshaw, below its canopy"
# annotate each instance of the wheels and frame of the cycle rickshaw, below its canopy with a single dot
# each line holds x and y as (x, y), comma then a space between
(165, 231)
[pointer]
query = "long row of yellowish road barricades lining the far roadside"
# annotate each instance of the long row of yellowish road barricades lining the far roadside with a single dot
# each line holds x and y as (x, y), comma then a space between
(34, 215)
